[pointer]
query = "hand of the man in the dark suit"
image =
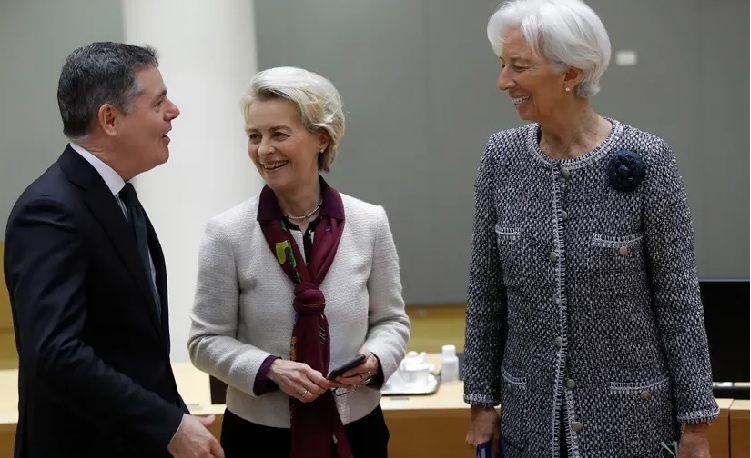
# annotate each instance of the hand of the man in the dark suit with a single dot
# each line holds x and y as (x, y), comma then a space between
(193, 440)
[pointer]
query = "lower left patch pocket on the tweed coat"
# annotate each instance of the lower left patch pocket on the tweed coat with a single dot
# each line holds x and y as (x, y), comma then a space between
(513, 410)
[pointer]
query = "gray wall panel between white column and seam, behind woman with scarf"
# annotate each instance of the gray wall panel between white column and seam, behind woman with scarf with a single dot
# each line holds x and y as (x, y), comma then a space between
(374, 53)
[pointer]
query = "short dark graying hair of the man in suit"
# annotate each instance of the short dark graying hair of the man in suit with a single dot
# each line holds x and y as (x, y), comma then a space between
(98, 74)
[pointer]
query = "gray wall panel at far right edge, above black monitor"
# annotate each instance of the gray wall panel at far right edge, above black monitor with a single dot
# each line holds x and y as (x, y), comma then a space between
(721, 186)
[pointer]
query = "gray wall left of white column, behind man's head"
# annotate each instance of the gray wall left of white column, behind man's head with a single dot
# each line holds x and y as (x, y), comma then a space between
(35, 37)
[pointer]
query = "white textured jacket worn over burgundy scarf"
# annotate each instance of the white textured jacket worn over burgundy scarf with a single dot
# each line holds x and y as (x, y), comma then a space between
(243, 308)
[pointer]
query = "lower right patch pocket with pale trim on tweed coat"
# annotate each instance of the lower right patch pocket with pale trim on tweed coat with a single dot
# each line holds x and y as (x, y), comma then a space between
(645, 410)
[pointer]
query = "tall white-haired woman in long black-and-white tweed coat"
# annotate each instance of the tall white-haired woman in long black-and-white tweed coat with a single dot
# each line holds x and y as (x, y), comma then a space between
(584, 320)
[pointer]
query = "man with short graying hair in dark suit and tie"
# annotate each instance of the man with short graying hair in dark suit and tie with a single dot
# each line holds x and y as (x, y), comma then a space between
(87, 279)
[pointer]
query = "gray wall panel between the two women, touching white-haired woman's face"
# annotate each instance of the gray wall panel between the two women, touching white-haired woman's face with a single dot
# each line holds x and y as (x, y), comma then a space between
(464, 109)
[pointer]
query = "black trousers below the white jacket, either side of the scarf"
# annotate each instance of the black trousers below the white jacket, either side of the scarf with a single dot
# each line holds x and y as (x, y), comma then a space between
(368, 438)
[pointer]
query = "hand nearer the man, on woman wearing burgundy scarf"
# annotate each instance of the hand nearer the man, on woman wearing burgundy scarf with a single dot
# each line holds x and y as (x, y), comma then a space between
(298, 380)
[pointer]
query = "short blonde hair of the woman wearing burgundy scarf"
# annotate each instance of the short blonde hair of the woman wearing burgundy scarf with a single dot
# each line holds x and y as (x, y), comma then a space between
(317, 100)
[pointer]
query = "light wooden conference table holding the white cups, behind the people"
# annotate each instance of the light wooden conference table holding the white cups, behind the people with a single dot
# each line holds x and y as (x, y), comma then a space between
(431, 426)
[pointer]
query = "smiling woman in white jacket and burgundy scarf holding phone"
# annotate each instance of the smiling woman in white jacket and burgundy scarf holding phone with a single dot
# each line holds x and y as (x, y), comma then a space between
(293, 283)
